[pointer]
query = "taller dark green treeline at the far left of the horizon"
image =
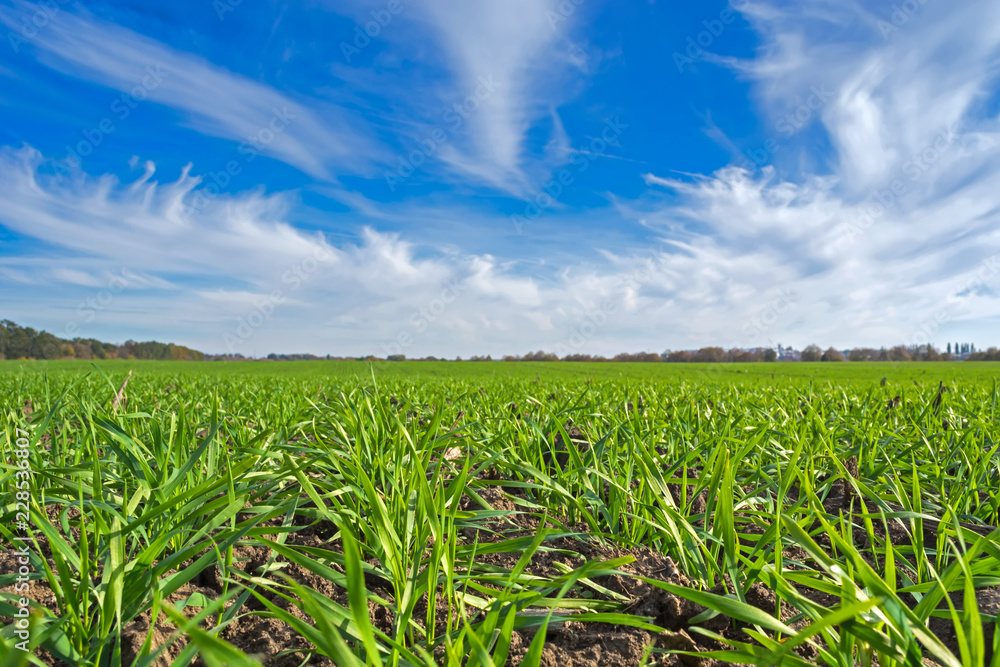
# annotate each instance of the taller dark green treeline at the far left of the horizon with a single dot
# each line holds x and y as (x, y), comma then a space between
(17, 342)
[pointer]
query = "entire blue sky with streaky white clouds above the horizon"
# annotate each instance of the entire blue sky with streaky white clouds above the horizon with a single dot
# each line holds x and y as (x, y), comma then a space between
(456, 178)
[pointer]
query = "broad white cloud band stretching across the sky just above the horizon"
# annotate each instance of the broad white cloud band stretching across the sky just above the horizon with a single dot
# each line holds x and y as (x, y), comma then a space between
(740, 261)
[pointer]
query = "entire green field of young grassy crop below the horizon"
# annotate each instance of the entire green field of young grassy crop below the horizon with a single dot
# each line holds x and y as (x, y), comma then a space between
(412, 513)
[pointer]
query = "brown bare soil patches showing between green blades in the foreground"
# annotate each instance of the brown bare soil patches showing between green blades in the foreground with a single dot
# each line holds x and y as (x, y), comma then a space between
(568, 643)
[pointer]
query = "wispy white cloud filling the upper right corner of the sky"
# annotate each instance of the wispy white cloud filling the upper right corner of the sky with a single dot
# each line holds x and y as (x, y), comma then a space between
(896, 80)
